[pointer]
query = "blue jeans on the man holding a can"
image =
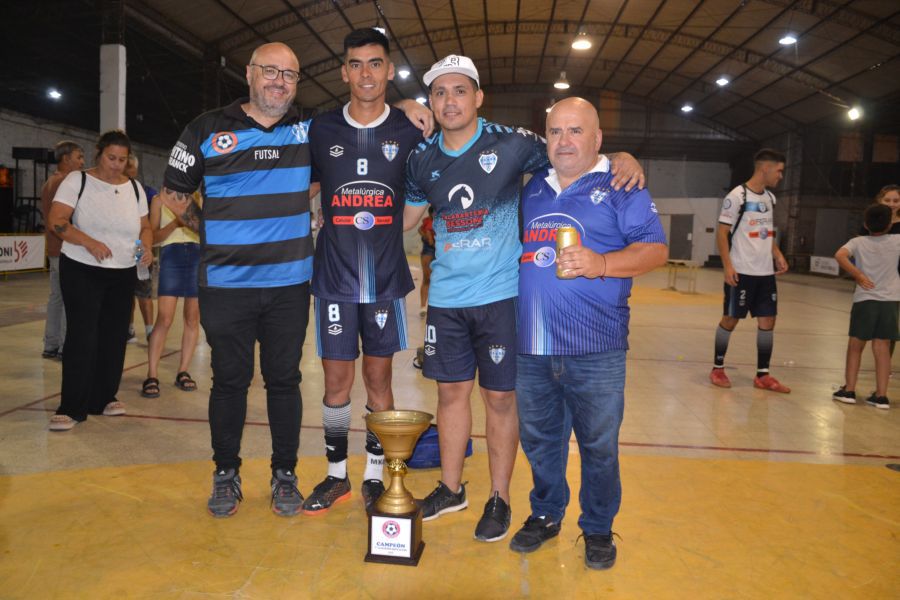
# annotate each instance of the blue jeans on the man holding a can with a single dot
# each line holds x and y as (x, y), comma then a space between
(555, 395)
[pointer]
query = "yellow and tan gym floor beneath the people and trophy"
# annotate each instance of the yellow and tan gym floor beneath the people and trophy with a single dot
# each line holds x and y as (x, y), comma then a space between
(735, 493)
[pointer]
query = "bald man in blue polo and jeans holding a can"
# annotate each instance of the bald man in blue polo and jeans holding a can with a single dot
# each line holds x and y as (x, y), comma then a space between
(573, 331)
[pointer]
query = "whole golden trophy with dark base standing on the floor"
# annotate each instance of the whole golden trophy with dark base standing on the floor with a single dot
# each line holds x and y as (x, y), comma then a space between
(395, 521)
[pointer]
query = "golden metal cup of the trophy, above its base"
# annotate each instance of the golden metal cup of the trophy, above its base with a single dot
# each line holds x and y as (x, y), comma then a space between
(398, 431)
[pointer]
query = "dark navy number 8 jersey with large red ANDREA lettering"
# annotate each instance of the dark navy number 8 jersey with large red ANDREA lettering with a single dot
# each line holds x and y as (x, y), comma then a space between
(359, 250)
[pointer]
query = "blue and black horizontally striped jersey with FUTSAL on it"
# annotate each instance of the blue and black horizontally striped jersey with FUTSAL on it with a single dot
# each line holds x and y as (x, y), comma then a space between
(255, 224)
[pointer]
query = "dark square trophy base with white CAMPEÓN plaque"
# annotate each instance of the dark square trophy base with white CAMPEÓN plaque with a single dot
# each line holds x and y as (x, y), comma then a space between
(395, 539)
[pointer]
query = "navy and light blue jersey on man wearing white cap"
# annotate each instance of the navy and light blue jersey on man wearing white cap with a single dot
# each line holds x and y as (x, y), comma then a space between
(475, 194)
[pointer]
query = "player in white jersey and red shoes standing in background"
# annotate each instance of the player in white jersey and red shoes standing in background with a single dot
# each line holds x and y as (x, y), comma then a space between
(751, 260)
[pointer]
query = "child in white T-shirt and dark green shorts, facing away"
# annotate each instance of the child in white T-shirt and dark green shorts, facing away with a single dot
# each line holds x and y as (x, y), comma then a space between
(876, 302)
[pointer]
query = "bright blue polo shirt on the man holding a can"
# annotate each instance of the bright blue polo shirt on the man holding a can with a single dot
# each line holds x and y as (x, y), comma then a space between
(578, 316)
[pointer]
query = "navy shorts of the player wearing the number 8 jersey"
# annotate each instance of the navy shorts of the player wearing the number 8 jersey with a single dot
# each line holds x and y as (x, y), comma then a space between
(340, 326)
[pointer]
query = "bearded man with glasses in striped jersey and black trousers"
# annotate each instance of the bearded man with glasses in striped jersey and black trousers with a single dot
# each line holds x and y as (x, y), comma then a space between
(252, 158)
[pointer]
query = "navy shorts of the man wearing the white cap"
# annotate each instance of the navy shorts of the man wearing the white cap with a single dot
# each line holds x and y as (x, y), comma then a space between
(460, 340)
